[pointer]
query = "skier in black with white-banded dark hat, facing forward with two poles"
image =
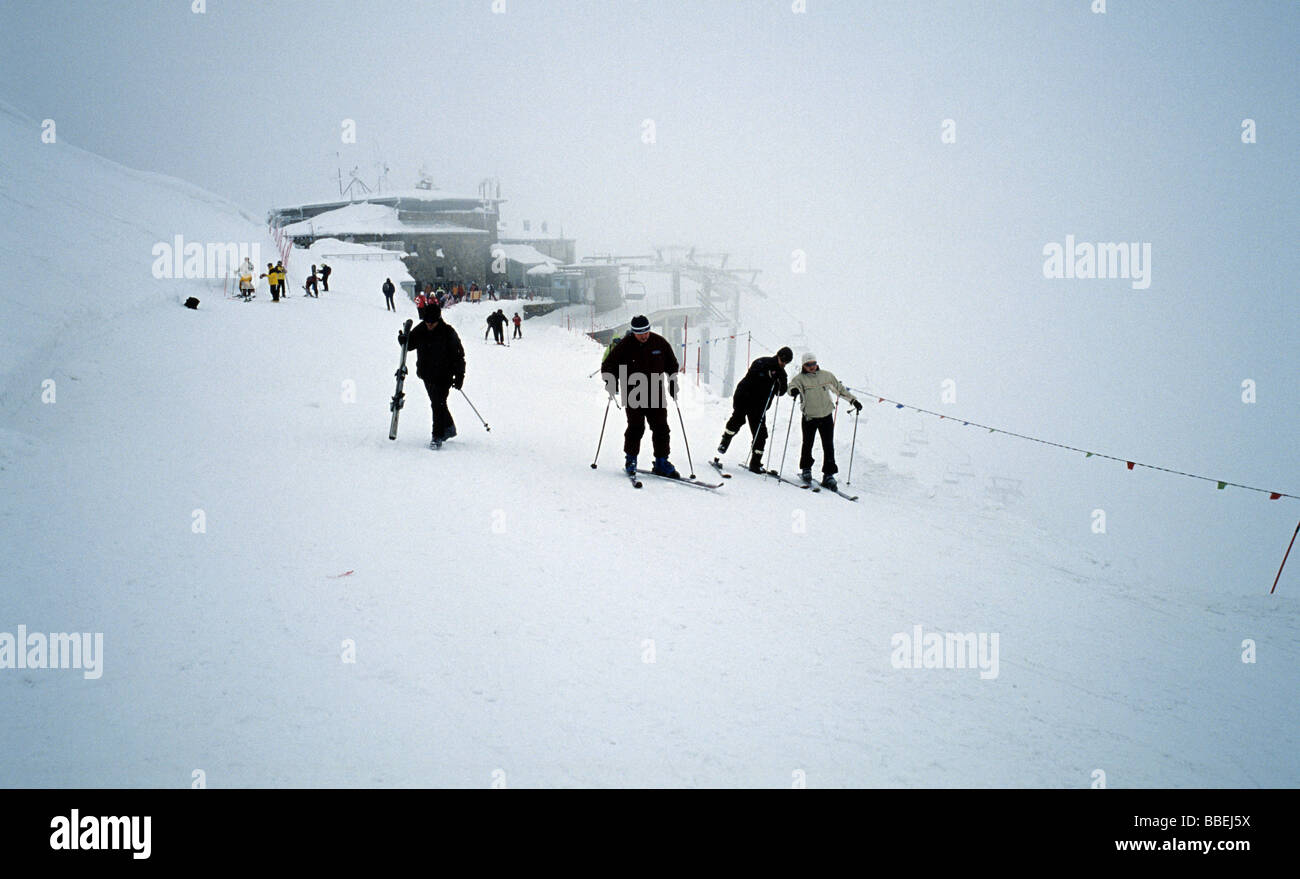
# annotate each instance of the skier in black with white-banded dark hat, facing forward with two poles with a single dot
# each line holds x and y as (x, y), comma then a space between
(639, 363)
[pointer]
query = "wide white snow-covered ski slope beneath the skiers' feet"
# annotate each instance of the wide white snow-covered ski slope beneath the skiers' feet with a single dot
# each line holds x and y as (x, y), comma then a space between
(518, 617)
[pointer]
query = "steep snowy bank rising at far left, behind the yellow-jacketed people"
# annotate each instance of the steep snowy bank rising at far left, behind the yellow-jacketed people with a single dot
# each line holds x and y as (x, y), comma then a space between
(77, 239)
